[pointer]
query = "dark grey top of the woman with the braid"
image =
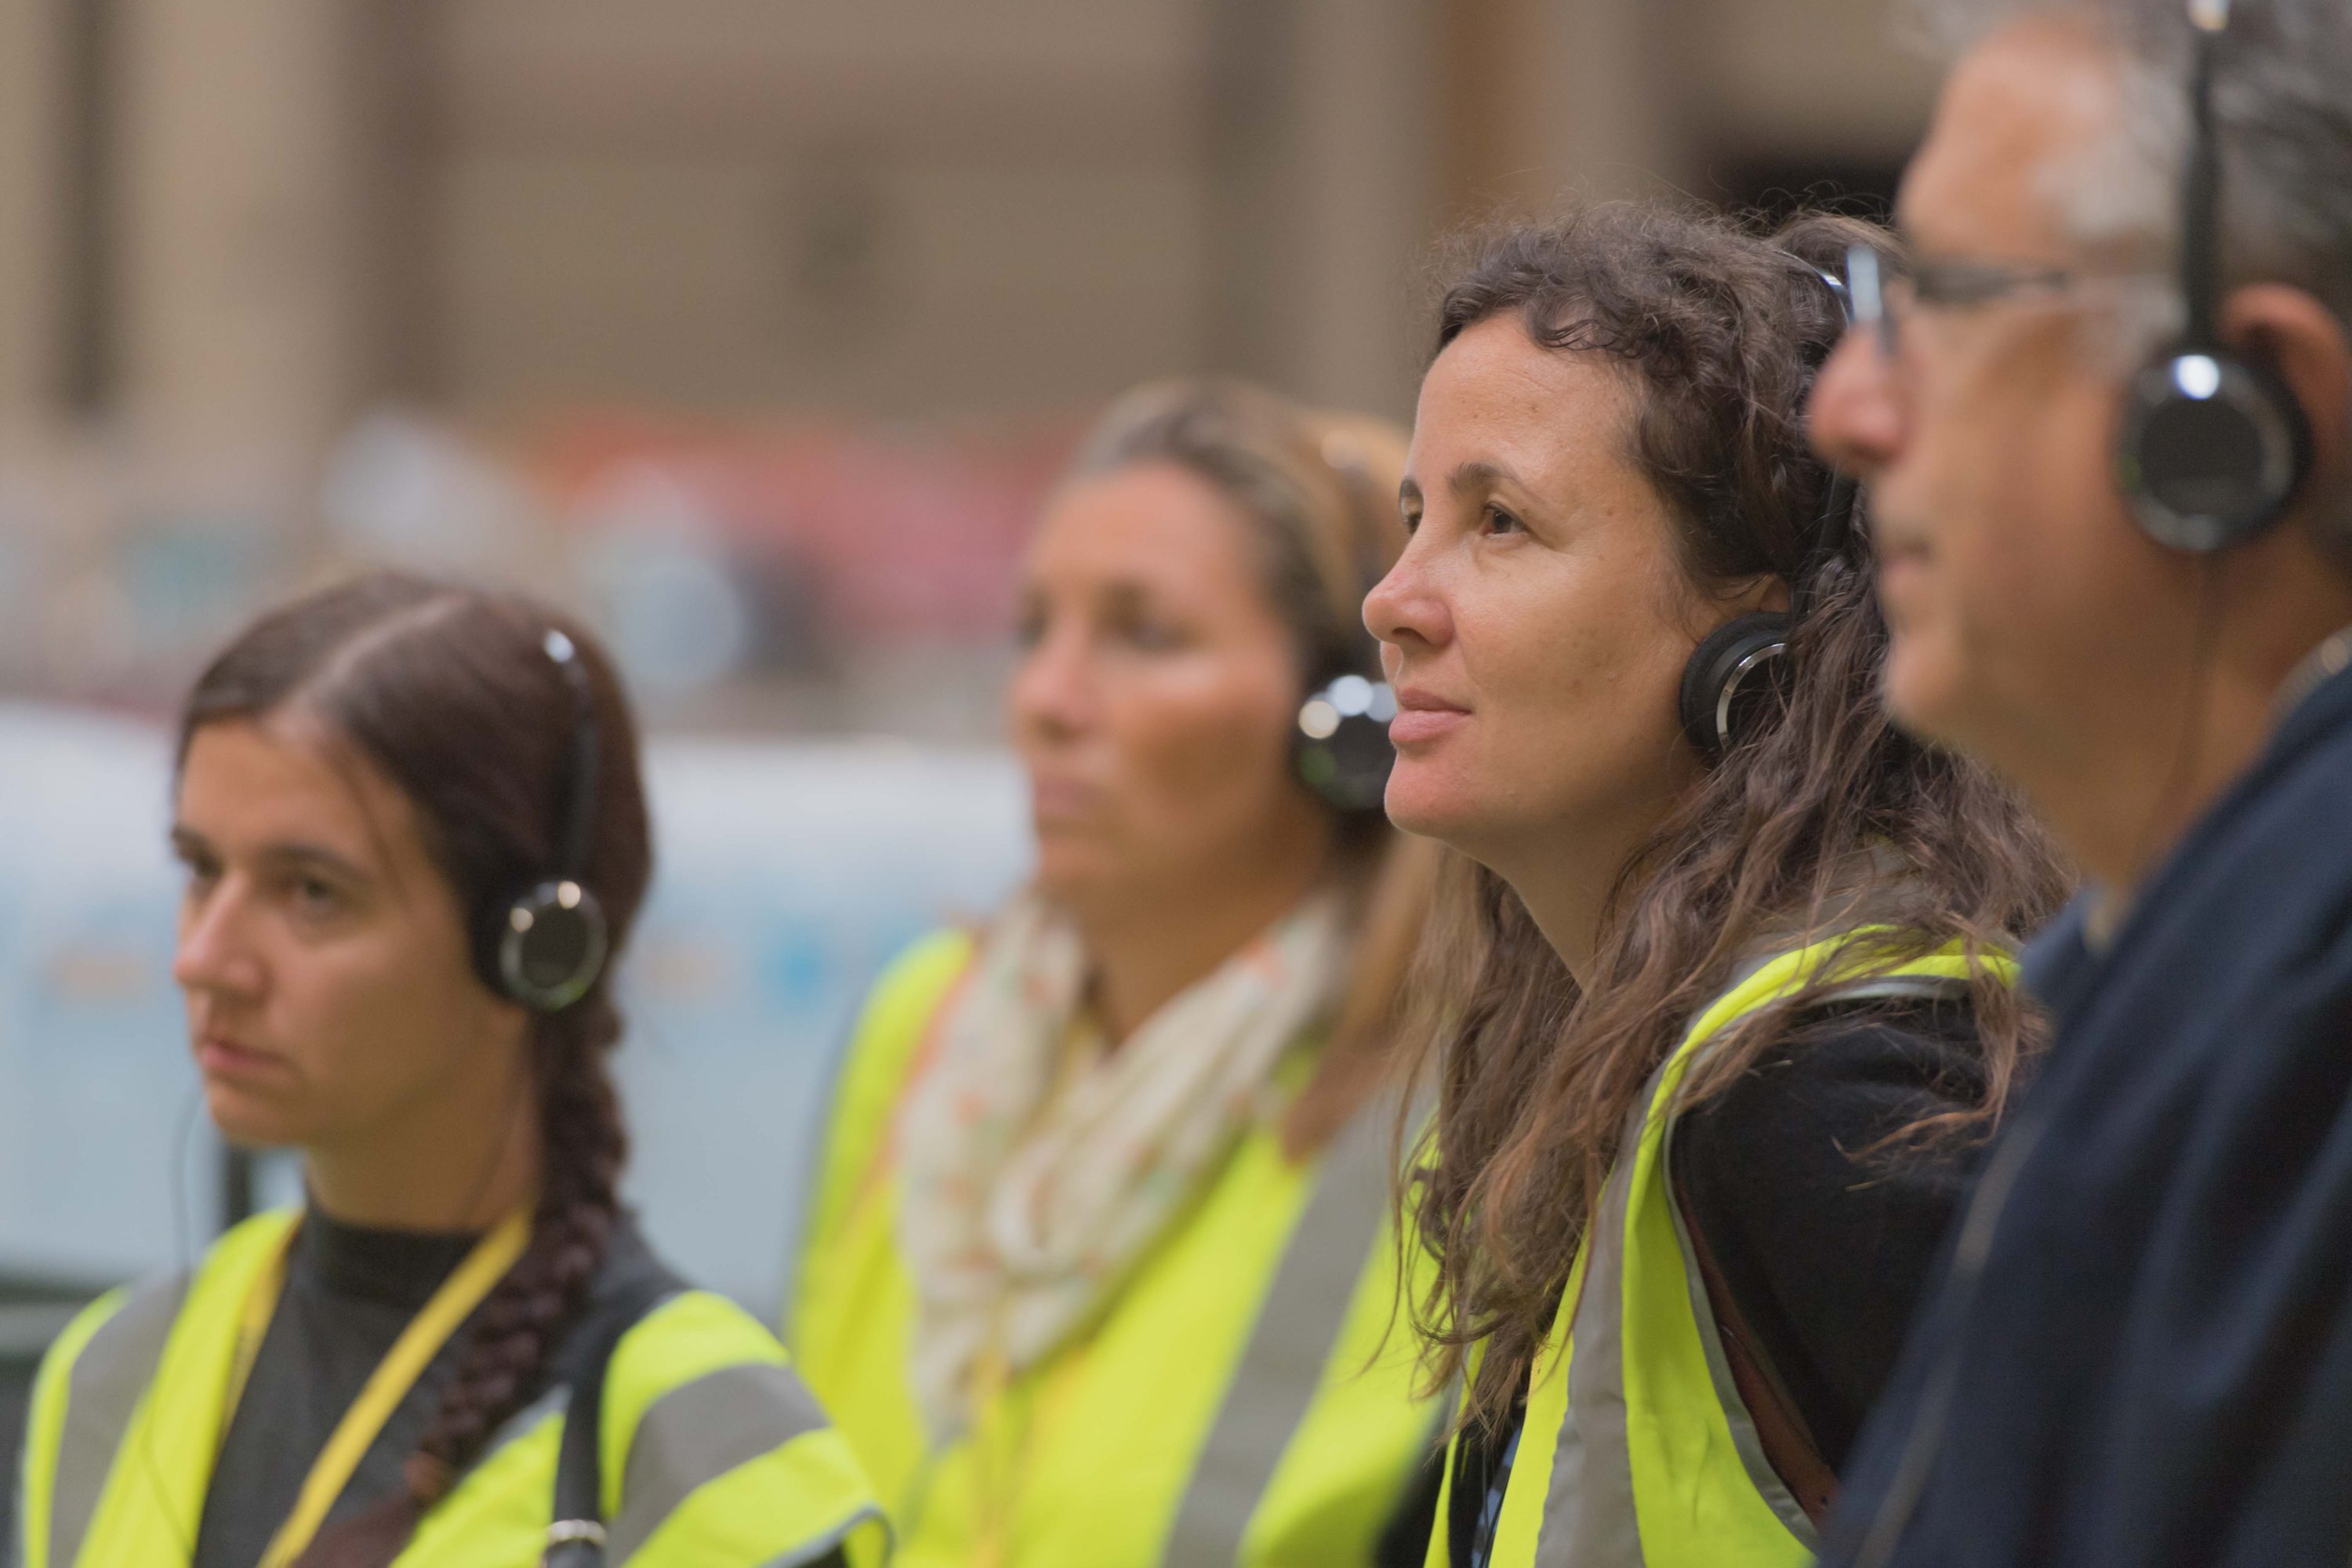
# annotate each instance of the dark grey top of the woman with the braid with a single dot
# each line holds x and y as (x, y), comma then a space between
(349, 1294)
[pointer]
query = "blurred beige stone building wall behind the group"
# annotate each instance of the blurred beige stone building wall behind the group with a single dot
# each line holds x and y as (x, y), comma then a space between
(234, 227)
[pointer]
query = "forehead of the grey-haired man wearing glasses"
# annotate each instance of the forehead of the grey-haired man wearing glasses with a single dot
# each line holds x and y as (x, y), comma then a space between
(2014, 107)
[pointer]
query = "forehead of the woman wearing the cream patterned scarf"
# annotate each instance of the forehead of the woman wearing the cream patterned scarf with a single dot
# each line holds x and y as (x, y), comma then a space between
(1149, 525)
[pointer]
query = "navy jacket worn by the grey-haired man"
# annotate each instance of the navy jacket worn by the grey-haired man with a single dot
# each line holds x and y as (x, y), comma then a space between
(2141, 1353)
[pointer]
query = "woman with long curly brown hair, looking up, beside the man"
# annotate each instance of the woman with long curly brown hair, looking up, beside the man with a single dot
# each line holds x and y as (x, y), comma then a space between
(1728, 974)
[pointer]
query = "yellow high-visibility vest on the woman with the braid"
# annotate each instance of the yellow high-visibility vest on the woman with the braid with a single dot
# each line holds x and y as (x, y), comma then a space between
(714, 1452)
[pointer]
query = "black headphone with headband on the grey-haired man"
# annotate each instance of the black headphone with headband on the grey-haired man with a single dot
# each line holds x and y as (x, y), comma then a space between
(2212, 445)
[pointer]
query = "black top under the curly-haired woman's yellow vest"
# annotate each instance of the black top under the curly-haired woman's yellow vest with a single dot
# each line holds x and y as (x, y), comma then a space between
(1822, 1245)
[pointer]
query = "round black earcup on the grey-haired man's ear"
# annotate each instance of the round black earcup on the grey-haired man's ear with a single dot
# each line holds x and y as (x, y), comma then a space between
(2212, 450)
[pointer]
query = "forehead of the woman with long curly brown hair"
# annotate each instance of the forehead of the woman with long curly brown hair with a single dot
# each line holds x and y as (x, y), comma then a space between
(1499, 396)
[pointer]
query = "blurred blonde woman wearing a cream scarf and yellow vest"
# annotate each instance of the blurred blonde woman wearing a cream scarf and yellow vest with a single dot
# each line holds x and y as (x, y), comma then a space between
(1097, 1273)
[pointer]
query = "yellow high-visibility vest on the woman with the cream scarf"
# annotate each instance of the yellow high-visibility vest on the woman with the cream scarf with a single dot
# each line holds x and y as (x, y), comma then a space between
(1245, 1398)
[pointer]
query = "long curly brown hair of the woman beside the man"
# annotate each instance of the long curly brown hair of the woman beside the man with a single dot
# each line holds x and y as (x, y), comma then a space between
(1718, 330)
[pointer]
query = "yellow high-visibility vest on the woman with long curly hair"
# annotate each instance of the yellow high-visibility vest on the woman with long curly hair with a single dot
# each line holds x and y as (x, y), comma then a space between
(1636, 1447)
